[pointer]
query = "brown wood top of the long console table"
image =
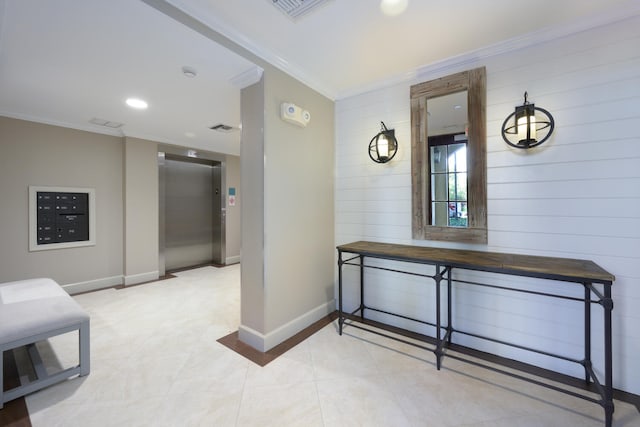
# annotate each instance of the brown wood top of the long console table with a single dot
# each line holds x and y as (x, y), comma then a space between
(566, 269)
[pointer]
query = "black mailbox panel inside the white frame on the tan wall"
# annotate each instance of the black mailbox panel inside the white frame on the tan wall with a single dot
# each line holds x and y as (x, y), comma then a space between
(62, 217)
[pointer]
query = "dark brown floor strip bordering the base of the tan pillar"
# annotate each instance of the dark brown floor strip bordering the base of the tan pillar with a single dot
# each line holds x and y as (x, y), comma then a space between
(259, 358)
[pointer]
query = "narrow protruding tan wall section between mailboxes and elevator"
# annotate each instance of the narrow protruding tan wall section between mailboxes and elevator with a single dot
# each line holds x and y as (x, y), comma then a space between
(141, 211)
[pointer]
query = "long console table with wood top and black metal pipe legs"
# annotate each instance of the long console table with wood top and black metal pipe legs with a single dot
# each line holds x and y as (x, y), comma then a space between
(595, 281)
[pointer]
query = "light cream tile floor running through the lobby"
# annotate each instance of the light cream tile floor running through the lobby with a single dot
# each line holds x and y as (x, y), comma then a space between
(156, 362)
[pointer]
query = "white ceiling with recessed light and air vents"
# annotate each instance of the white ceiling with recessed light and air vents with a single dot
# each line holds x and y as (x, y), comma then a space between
(67, 62)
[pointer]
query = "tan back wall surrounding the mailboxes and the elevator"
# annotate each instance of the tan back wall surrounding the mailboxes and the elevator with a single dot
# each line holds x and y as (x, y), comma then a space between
(124, 174)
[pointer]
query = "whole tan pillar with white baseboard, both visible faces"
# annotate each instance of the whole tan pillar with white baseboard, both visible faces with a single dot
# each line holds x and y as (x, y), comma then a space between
(287, 219)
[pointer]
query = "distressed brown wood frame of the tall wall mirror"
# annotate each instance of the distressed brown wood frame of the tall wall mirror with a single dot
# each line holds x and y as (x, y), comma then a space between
(474, 82)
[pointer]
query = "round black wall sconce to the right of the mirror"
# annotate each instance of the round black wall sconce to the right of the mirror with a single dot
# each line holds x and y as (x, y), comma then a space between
(528, 126)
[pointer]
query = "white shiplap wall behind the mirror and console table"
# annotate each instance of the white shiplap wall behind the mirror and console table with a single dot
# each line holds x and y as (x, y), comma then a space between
(576, 196)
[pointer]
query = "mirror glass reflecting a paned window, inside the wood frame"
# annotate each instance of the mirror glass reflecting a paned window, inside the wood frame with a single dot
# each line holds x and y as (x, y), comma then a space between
(447, 139)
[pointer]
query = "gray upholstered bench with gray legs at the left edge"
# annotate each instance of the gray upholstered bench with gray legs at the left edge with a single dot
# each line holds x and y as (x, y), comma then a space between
(32, 311)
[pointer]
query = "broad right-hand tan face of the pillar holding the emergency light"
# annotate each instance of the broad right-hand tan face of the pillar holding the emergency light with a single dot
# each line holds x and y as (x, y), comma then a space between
(299, 214)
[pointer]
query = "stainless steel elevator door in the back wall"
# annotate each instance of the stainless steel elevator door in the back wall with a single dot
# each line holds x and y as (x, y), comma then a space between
(190, 235)
